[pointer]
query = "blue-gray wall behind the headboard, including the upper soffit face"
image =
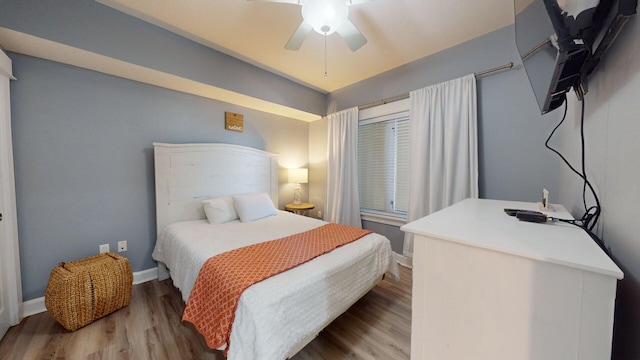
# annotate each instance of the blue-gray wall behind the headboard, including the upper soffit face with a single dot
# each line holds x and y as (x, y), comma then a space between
(83, 140)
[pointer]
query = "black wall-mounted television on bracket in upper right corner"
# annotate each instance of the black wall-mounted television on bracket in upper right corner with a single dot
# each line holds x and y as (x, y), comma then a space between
(562, 41)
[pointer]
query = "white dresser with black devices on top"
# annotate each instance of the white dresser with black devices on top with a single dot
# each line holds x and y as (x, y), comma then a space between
(488, 286)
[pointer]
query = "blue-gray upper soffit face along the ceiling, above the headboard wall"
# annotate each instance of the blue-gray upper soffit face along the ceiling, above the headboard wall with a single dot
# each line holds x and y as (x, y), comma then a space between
(91, 26)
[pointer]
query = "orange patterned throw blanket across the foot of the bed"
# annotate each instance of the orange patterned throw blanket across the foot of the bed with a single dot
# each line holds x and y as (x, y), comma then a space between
(222, 279)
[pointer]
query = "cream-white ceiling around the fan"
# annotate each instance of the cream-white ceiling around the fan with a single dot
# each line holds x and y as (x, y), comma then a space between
(398, 32)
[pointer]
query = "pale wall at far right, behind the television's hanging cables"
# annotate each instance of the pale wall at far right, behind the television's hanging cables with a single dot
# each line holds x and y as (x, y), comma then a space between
(612, 131)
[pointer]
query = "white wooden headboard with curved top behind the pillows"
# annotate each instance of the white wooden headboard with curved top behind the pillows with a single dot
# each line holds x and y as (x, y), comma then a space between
(186, 174)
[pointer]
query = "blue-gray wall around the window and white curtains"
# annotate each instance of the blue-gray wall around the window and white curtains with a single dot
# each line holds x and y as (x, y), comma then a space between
(513, 162)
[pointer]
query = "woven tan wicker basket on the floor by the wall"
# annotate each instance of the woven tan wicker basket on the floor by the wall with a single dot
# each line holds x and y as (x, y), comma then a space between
(85, 290)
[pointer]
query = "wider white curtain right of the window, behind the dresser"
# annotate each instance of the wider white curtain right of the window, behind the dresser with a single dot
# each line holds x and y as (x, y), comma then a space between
(443, 148)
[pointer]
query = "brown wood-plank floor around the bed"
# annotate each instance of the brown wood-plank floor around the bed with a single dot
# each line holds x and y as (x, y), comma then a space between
(376, 327)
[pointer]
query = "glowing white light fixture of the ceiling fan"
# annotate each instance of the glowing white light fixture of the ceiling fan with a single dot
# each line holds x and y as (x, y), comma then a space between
(325, 16)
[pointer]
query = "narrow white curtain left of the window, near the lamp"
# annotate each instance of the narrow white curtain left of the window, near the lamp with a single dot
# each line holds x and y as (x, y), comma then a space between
(343, 204)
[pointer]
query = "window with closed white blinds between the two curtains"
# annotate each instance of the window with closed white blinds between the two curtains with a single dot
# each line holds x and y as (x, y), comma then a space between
(383, 166)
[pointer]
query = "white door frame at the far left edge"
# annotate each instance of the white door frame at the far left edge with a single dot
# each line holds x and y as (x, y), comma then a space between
(10, 264)
